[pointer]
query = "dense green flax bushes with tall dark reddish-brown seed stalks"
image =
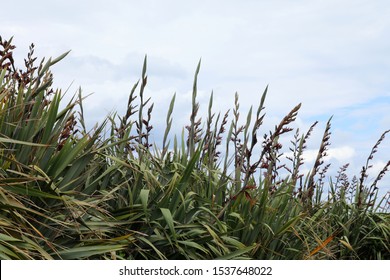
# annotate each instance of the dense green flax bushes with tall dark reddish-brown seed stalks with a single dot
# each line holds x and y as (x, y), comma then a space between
(213, 192)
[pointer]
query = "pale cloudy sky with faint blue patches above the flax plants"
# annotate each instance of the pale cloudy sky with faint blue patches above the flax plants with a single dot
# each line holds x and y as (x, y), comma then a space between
(331, 56)
